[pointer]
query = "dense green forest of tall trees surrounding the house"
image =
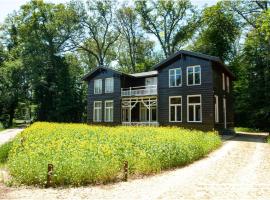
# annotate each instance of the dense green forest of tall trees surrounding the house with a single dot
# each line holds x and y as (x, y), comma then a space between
(46, 48)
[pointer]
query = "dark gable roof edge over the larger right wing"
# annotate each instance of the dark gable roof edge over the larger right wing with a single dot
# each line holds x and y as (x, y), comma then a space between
(194, 54)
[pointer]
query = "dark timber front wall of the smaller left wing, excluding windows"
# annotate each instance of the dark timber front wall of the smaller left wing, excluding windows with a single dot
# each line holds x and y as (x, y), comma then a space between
(115, 96)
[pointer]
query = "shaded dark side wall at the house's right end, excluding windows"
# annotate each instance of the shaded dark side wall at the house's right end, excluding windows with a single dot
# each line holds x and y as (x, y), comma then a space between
(218, 90)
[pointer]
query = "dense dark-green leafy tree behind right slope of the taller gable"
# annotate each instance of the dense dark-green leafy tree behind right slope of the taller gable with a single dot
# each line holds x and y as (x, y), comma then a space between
(219, 31)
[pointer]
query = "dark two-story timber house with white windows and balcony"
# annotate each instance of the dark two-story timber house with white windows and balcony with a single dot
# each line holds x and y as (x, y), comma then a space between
(187, 89)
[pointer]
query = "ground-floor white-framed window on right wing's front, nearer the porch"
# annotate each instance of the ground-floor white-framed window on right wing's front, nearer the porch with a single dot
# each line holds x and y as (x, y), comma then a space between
(175, 106)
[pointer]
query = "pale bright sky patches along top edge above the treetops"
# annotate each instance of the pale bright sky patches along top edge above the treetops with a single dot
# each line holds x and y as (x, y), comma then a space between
(8, 6)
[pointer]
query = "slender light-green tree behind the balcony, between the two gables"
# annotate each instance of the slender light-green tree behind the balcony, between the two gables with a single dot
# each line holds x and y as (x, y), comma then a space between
(135, 51)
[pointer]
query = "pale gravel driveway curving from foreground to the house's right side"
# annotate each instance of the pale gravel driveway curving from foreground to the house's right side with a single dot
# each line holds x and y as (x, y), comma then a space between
(240, 169)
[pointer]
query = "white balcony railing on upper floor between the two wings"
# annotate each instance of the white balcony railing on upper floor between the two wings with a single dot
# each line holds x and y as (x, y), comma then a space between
(139, 91)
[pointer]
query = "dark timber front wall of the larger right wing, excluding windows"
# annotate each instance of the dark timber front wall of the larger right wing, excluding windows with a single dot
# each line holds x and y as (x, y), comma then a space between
(205, 90)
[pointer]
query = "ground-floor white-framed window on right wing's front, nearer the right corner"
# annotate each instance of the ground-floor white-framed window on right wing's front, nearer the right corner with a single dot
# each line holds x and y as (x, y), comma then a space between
(194, 108)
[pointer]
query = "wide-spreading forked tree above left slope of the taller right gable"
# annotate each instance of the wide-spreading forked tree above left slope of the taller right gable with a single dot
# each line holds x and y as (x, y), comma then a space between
(171, 22)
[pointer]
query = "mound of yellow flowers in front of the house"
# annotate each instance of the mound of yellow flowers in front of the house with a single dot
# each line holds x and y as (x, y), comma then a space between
(83, 154)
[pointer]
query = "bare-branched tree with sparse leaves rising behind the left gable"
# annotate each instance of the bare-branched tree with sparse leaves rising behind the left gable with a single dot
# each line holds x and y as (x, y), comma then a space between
(98, 30)
